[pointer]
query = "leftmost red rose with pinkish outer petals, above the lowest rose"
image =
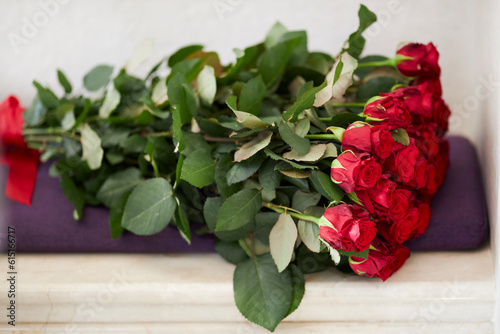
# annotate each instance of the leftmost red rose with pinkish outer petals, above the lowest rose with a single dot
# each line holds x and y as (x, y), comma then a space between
(347, 227)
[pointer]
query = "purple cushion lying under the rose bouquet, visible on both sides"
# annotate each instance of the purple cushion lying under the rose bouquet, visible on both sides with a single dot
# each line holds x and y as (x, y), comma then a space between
(459, 219)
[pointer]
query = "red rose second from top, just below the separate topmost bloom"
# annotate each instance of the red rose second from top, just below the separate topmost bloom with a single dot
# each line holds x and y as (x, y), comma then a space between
(395, 108)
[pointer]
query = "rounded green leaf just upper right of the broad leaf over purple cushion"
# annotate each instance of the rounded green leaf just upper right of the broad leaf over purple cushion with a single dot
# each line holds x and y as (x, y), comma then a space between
(199, 168)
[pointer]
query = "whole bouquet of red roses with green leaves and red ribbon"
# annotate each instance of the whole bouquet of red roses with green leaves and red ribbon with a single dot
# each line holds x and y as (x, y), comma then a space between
(282, 155)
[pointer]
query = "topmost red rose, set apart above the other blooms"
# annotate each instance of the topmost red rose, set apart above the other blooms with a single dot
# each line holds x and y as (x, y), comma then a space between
(423, 62)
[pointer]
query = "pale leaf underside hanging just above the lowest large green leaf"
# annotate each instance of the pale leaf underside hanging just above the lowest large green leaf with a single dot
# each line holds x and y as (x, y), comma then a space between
(282, 241)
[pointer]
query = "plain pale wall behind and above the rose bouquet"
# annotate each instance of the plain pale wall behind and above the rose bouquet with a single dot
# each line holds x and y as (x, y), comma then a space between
(75, 35)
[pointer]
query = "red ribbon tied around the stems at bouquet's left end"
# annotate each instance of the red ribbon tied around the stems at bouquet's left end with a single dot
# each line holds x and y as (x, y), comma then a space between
(14, 153)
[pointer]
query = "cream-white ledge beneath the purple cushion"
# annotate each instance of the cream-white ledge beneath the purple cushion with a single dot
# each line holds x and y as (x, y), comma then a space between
(444, 292)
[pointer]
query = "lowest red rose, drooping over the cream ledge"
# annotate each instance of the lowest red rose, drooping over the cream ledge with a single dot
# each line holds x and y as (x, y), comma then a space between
(383, 260)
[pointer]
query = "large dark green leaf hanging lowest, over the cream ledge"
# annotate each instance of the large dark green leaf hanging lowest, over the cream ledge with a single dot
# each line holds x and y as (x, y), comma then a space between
(257, 282)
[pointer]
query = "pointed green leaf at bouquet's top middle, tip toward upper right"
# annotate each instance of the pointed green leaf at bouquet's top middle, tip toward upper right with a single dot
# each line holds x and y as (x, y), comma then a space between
(273, 61)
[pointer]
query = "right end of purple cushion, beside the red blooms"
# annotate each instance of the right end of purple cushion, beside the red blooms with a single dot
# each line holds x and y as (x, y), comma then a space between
(459, 217)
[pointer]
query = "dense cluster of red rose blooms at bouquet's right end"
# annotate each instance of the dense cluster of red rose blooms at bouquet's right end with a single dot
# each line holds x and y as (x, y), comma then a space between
(391, 168)
